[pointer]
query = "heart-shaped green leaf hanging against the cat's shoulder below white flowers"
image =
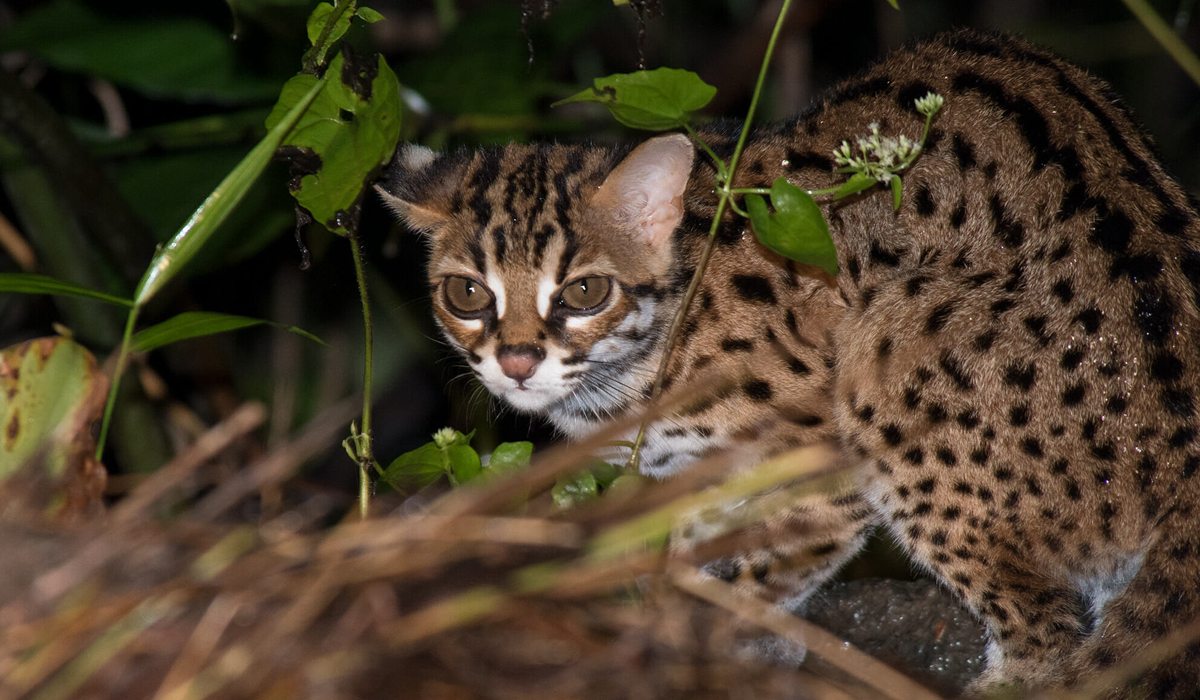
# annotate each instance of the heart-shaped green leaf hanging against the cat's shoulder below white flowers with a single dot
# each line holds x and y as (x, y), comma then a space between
(797, 230)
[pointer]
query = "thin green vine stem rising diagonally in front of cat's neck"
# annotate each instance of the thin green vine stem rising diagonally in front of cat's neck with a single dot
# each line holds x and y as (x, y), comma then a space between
(724, 200)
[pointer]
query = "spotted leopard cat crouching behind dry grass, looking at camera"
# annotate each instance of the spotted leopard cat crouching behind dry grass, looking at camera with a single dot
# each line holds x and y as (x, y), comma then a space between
(1011, 362)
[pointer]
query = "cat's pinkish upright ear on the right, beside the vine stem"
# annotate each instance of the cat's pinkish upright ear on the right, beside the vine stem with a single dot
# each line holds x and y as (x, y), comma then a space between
(644, 195)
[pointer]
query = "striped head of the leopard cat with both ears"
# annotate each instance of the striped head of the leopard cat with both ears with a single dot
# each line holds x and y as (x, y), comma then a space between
(549, 264)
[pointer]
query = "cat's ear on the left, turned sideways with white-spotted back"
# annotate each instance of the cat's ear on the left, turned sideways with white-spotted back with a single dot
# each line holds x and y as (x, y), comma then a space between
(418, 186)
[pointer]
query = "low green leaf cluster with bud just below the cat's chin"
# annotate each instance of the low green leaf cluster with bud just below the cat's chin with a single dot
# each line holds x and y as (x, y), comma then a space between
(449, 454)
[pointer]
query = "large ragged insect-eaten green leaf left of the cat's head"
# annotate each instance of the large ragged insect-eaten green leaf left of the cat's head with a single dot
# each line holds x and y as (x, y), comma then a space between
(337, 157)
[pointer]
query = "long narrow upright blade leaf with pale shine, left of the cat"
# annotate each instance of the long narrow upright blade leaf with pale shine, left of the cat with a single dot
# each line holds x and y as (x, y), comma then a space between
(190, 240)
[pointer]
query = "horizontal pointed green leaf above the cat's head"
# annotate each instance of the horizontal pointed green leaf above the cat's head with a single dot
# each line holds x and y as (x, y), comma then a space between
(652, 100)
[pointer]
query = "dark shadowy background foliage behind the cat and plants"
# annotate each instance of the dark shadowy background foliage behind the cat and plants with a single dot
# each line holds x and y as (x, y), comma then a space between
(118, 118)
